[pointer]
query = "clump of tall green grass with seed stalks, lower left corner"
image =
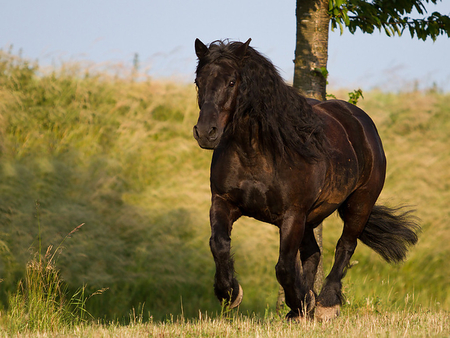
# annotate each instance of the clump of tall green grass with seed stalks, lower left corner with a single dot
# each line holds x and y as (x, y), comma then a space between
(41, 302)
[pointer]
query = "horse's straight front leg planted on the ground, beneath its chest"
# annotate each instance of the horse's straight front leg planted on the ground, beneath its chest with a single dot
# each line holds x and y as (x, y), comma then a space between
(288, 267)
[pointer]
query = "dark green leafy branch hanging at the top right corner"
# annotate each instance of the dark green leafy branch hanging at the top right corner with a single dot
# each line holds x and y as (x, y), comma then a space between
(392, 16)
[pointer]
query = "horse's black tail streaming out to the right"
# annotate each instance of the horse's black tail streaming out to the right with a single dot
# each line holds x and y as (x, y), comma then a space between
(390, 232)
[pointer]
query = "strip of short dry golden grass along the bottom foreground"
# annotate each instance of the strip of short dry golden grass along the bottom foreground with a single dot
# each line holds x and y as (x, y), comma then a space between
(393, 324)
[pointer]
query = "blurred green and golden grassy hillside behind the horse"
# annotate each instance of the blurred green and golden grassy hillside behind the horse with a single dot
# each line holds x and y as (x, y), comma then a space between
(118, 155)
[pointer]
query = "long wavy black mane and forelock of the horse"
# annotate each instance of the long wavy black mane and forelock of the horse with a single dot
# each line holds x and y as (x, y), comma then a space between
(284, 121)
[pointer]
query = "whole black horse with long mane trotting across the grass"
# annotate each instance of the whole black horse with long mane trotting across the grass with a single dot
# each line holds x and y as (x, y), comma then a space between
(290, 161)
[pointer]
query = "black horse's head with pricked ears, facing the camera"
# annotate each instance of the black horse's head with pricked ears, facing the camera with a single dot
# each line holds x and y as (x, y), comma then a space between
(217, 83)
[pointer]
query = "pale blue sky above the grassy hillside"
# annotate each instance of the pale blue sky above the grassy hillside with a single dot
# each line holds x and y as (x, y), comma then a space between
(162, 32)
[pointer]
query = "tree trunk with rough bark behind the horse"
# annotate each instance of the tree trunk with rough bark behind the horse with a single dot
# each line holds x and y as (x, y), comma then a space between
(310, 77)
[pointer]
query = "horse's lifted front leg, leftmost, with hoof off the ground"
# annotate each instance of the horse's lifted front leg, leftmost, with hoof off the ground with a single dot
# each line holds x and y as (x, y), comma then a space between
(222, 217)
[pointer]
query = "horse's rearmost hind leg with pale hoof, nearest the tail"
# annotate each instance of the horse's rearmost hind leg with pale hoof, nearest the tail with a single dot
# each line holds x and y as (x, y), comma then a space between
(355, 214)
